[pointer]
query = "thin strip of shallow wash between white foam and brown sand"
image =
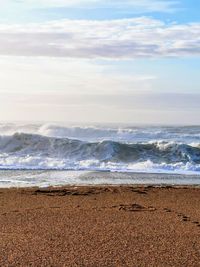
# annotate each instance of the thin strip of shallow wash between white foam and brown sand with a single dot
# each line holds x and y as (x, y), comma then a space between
(30, 178)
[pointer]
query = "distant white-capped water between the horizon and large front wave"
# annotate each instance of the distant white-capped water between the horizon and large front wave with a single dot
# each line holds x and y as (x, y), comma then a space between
(121, 133)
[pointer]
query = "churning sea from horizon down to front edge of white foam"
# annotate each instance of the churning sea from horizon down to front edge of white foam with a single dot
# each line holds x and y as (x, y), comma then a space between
(140, 149)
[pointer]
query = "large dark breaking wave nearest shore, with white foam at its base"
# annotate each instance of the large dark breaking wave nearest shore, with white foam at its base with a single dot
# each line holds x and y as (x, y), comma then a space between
(37, 151)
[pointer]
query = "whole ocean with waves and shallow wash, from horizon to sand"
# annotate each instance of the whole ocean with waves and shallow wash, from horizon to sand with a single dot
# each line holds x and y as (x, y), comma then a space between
(62, 153)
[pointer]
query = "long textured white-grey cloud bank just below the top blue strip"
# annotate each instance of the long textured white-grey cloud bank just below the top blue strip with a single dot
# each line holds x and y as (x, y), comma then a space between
(126, 38)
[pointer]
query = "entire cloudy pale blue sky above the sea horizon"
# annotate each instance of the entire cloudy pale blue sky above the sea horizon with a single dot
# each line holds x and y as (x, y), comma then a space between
(130, 61)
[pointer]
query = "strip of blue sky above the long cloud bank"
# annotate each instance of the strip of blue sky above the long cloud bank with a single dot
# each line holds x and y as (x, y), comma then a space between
(181, 11)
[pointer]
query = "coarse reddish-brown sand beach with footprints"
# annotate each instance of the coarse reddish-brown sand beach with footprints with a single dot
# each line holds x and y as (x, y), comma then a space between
(100, 226)
